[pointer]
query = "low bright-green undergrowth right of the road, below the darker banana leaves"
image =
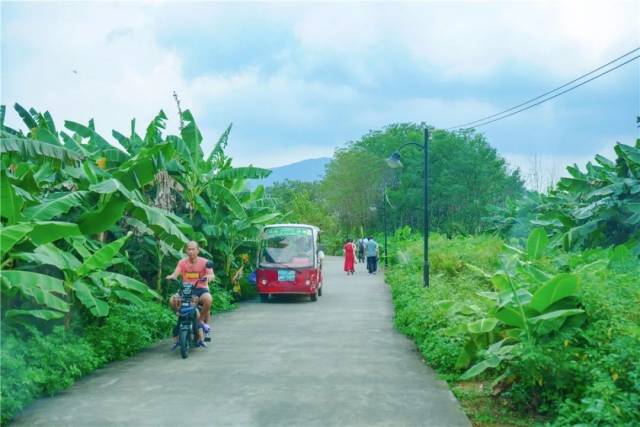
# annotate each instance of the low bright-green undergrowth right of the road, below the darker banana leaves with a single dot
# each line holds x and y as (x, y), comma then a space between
(550, 332)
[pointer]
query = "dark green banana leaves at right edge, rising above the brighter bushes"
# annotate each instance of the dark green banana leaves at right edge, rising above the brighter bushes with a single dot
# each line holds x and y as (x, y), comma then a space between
(598, 207)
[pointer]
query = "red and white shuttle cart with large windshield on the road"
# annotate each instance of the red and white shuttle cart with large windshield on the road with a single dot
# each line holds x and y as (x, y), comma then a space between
(289, 261)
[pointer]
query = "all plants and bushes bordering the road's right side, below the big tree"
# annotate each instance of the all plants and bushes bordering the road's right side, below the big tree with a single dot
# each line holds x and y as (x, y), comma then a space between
(541, 329)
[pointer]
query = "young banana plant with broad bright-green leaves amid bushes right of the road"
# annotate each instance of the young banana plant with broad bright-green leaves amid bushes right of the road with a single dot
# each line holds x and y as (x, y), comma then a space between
(526, 305)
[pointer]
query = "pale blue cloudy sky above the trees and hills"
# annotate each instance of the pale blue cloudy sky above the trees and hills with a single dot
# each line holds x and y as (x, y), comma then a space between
(299, 79)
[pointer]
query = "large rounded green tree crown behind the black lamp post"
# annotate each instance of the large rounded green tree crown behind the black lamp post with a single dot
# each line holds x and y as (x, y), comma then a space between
(466, 178)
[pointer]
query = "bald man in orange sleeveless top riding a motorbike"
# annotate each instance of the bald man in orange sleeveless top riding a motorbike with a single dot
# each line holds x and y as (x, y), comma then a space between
(193, 270)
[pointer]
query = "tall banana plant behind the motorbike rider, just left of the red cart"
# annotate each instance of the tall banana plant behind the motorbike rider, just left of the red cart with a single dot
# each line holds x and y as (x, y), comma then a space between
(220, 205)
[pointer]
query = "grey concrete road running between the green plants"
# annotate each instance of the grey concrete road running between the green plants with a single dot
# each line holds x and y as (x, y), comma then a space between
(291, 362)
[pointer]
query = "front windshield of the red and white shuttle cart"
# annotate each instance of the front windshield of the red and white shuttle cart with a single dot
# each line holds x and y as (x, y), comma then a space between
(287, 247)
